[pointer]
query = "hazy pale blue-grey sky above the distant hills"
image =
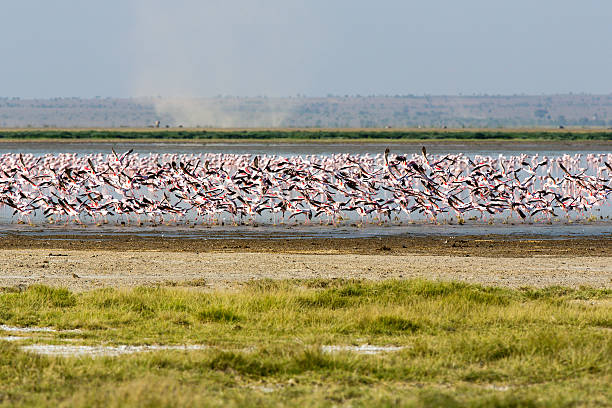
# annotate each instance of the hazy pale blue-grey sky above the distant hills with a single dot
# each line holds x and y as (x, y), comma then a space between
(311, 47)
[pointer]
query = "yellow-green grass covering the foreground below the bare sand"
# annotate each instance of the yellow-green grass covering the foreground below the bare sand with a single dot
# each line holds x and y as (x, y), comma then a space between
(464, 345)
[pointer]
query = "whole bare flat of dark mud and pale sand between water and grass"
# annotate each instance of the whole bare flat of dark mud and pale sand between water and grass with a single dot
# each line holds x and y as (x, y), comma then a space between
(88, 262)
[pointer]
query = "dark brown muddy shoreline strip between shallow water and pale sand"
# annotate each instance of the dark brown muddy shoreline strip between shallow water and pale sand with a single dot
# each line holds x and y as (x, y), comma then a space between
(477, 245)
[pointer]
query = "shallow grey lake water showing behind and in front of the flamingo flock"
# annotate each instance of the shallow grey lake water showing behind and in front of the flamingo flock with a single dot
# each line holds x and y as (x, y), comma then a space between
(599, 225)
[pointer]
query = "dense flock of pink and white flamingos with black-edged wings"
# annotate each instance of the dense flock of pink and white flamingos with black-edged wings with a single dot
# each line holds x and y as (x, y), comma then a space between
(385, 186)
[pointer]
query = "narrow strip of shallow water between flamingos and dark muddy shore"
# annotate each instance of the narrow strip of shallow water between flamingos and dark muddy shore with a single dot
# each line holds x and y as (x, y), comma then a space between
(300, 231)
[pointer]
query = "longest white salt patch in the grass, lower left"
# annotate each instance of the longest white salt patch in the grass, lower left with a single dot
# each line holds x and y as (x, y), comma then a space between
(101, 351)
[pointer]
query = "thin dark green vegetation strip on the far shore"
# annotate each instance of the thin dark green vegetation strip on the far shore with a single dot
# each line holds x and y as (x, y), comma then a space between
(308, 134)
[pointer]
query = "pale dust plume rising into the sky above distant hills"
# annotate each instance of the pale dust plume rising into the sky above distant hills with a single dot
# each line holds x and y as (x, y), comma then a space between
(187, 56)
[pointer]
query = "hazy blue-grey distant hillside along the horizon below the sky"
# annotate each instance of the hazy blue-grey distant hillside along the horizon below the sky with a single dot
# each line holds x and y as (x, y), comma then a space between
(329, 112)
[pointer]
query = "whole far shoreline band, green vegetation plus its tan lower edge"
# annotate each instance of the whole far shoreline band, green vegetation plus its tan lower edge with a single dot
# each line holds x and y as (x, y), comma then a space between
(204, 136)
